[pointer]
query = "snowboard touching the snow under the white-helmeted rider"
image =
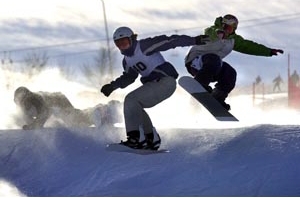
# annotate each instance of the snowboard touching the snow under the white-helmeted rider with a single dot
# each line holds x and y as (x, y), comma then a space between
(117, 147)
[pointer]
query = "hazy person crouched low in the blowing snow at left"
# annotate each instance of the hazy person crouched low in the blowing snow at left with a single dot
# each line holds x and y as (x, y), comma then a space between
(38, 107)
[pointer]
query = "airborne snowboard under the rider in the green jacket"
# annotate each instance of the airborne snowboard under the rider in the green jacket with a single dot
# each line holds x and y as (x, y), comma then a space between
(206, 99)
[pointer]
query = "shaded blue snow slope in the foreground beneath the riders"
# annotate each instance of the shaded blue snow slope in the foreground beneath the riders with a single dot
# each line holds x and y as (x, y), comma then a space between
(261, 160)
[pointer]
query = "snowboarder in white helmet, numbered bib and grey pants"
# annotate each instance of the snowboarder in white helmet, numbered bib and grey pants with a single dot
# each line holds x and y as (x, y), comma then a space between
(157, 76)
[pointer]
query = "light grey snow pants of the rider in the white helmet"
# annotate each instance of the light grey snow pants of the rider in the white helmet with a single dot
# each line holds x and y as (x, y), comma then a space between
(146, 96)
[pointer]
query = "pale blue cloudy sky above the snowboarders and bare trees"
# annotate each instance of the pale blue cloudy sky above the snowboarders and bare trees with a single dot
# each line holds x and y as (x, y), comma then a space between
(65, 27)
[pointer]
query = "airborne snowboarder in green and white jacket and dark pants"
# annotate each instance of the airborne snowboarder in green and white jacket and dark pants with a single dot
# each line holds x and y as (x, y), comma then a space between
(204, 62)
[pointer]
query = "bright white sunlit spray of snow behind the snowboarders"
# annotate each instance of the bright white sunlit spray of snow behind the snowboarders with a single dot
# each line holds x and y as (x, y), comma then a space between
(179, 111)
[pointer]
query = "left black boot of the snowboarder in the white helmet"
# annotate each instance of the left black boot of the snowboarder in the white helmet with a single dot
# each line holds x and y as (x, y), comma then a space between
(135, 140)
